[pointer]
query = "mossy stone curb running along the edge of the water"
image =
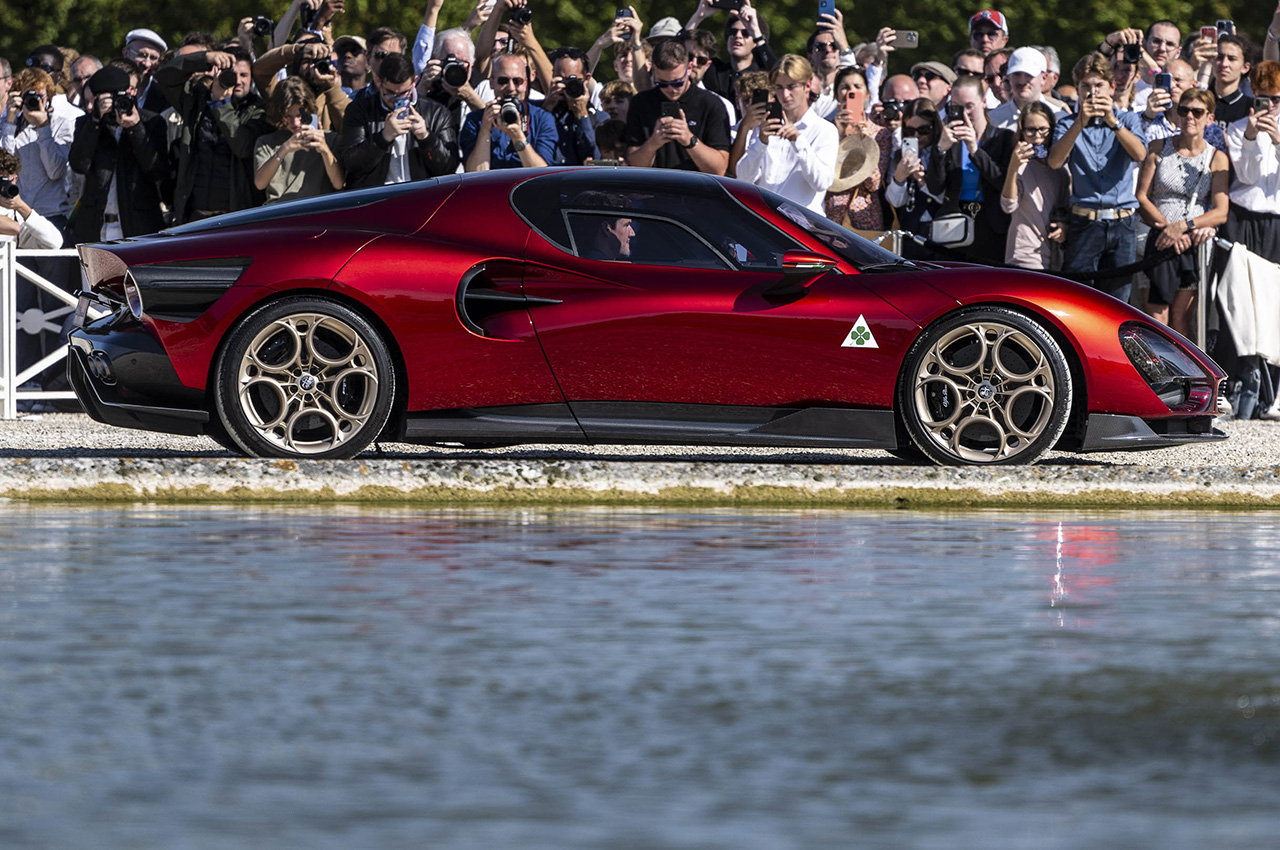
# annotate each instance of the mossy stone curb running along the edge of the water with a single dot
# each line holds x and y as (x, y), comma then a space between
(584, 482)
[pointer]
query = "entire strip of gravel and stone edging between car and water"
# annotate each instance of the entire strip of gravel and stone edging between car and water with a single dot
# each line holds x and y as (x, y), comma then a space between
(67, 456)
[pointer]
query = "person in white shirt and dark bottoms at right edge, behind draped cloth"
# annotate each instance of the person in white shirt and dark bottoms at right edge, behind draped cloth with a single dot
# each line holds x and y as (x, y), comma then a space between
(1254, 218)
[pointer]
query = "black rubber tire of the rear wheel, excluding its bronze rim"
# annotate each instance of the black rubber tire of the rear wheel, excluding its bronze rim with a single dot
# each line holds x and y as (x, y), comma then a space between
(227, 382)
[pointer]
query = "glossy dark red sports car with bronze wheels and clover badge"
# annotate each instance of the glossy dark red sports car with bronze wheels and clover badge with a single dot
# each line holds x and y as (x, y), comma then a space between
(610, 307)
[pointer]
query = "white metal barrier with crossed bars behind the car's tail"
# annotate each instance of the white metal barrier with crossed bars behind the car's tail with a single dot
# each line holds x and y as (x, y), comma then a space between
(30, 322)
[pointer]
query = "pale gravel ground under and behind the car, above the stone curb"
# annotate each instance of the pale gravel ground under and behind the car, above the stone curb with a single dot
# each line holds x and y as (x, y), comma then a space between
(76, 436)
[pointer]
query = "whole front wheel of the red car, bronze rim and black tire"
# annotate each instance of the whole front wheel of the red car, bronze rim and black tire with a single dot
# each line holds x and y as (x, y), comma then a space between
(986, 386)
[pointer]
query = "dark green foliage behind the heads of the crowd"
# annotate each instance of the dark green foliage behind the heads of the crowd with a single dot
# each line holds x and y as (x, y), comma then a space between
(1072, 26)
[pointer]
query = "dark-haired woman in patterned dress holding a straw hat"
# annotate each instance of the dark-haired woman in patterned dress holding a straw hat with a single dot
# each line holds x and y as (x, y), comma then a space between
(867, 149)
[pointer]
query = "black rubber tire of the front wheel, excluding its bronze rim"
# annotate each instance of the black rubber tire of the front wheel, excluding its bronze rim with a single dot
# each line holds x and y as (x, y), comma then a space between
(1049, 345)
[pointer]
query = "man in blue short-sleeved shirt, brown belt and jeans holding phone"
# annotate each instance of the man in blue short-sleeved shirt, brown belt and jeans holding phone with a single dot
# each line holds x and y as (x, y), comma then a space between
(1104, 148)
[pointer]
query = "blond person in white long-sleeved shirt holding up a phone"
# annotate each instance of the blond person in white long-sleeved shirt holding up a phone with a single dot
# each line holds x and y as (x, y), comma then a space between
(794, 152)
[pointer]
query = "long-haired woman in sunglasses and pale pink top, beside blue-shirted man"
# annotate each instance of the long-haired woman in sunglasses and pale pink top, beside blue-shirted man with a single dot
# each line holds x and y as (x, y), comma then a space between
(1034, 193)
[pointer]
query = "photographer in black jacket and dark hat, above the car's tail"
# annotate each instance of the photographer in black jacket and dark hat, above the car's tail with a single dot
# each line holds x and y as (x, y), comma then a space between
(122, 152)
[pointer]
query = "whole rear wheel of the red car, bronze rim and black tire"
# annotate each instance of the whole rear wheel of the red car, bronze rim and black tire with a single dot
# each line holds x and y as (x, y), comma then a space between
(304, 378)
